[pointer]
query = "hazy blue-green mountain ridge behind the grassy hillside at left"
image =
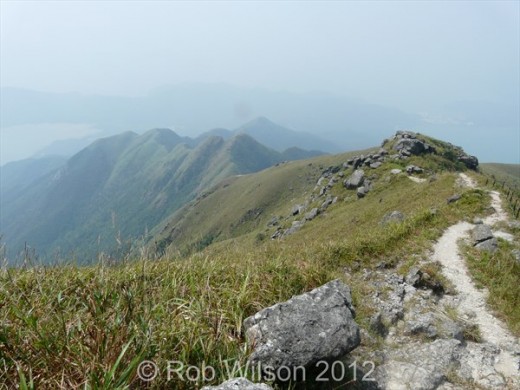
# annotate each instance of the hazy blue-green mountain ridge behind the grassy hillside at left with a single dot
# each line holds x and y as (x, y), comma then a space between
(119, 187)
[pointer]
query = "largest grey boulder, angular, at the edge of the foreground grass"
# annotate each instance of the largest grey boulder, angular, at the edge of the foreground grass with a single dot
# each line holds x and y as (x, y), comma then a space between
(305, 329)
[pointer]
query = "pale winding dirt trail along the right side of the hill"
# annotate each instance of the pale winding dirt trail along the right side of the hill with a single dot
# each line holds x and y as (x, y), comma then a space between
(472, 301)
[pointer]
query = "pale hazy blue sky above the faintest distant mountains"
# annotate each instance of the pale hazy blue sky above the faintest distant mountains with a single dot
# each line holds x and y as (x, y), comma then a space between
(417, 56)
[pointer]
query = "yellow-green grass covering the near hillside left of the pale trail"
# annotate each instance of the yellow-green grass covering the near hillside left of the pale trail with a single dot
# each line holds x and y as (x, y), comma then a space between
(67, 326)
